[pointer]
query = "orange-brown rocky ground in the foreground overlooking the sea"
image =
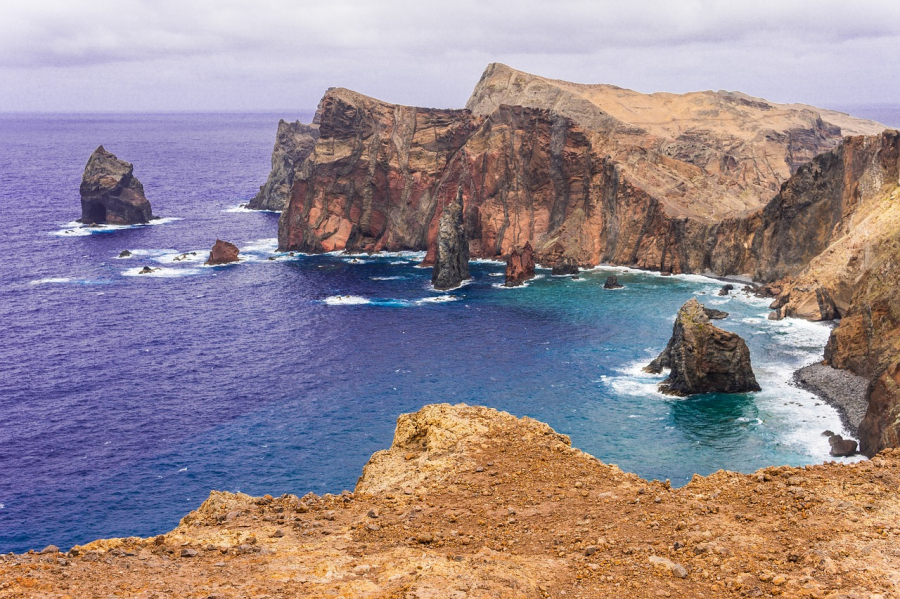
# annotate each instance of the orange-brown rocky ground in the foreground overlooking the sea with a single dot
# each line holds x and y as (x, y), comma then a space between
(471, 502)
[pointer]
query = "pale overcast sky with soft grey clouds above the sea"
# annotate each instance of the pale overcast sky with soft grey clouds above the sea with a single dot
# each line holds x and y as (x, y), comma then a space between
(205, 55)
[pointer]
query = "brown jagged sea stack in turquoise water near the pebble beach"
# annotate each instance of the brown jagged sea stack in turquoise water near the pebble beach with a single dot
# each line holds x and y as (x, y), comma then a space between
(703, 358)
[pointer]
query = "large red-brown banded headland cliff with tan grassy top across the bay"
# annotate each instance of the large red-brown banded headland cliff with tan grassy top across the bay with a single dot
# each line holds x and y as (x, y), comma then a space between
(568, 172)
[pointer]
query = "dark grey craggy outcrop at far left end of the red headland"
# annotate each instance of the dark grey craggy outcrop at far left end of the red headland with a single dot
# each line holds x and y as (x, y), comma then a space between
(294, 142)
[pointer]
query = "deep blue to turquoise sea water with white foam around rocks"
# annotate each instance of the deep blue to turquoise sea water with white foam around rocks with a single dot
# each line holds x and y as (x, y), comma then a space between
(124, 398)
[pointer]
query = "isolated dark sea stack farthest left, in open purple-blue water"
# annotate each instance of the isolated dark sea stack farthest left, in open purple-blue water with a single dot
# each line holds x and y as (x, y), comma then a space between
(110, 193)
